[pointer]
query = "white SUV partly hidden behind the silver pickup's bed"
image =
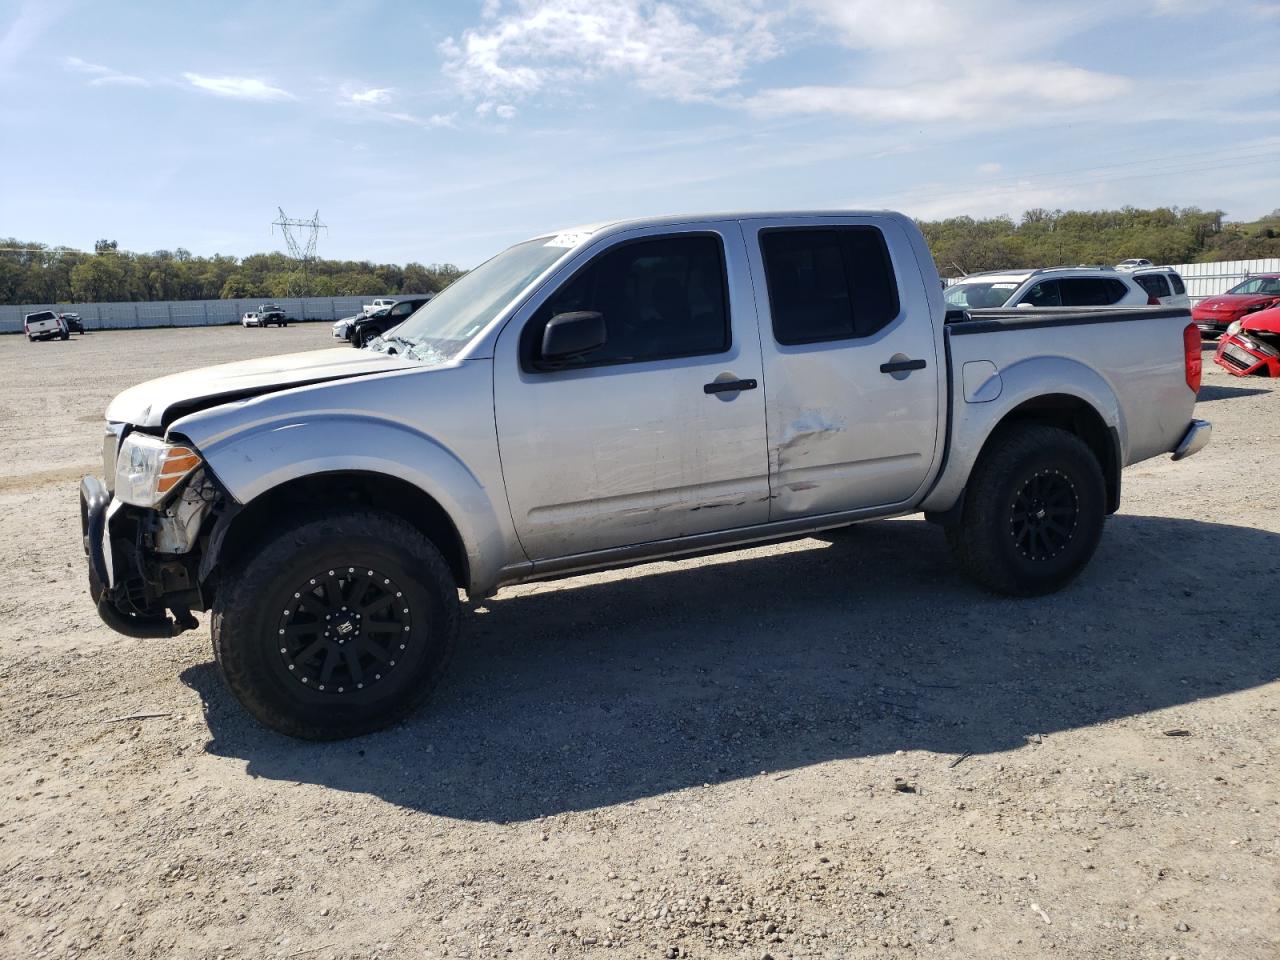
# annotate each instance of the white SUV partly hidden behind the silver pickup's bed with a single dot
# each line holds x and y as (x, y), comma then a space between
(1054, 287)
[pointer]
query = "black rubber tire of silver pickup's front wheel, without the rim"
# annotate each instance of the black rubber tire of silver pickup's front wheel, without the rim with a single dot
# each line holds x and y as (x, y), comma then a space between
(248, 618)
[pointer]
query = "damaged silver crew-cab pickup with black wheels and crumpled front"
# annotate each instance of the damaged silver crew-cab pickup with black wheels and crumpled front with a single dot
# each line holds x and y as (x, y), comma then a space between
(609, 396)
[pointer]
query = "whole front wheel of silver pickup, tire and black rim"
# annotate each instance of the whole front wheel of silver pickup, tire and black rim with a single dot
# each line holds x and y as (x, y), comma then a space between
(337, 627)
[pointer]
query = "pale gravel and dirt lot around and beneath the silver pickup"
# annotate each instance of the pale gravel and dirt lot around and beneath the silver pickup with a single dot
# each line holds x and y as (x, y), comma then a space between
(685, 760)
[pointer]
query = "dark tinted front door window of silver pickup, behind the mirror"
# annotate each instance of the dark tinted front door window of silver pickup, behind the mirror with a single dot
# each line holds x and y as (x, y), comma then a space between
(661, 299)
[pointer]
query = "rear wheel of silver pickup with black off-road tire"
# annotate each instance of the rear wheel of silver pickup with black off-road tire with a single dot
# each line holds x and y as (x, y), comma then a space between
(990, 542)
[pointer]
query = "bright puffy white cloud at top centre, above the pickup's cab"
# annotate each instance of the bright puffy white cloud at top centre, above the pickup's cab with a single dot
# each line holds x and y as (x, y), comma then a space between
(554, 47)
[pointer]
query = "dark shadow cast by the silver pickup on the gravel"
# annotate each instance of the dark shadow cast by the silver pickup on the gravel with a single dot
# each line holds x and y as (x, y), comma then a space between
(579, 696)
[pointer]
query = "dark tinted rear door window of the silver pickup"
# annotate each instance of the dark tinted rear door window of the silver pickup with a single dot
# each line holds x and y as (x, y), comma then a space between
(829, 285)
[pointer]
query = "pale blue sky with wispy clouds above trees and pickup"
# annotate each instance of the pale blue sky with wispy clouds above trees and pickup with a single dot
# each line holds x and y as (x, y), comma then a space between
(442, 132)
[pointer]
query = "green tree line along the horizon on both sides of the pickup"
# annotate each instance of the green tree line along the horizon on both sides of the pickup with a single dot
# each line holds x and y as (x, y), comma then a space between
(35, 273)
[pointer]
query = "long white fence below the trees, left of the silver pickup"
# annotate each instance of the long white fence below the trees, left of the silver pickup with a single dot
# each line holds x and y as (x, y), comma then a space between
(182, 313)
